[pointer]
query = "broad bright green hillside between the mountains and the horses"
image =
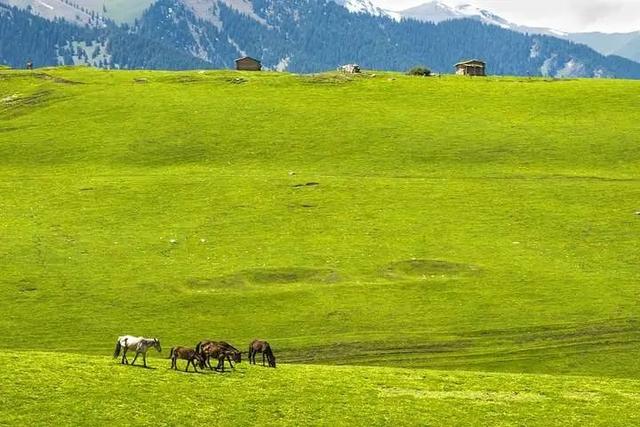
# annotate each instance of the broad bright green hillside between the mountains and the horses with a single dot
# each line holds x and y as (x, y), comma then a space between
(457, 223)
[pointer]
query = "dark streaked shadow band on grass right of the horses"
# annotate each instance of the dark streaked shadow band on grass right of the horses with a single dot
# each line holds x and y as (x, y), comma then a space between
(476, 349)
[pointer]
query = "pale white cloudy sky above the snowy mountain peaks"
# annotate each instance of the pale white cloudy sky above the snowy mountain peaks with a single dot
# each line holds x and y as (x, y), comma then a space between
(568, 15)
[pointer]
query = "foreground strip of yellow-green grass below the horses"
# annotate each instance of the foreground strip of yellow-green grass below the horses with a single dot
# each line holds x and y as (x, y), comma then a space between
(45, 389)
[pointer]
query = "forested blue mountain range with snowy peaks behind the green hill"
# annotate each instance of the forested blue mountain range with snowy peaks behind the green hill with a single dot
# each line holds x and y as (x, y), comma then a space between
(295, 35)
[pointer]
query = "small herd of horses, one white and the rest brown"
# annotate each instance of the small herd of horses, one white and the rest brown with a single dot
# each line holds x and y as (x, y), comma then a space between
(200, 356)
